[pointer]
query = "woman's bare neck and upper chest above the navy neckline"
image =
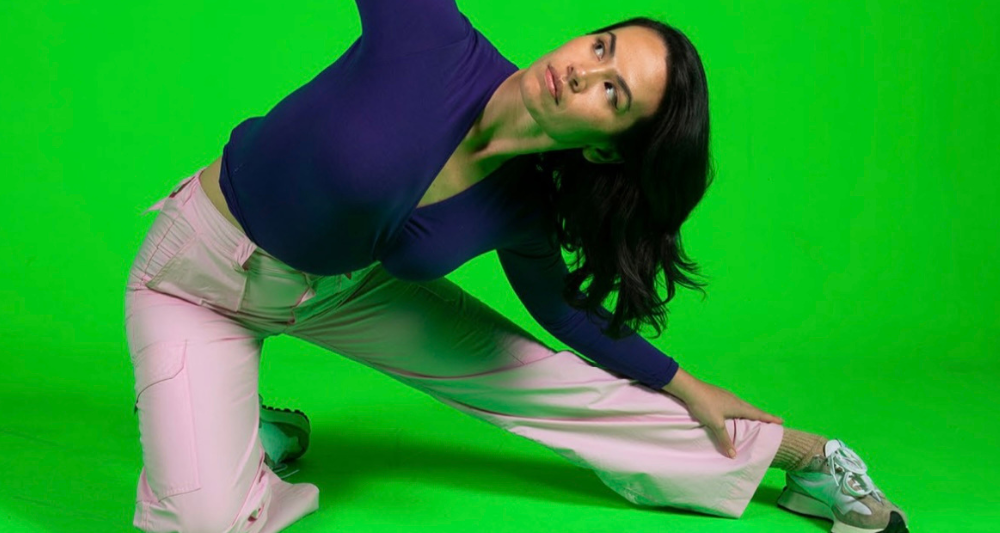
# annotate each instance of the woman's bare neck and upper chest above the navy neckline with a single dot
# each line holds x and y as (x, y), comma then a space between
(505, 129)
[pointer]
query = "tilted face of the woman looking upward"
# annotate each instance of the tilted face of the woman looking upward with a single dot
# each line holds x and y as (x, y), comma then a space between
(605, 83)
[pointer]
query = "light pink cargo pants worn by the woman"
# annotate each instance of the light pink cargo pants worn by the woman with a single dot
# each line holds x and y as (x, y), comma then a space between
(201, 298)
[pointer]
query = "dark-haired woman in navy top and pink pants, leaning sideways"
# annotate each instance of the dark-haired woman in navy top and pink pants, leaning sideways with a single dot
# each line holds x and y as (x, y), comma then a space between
(334, 218)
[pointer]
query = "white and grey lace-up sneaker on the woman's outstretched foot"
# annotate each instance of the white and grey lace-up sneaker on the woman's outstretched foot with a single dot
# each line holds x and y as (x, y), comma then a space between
(840, 490)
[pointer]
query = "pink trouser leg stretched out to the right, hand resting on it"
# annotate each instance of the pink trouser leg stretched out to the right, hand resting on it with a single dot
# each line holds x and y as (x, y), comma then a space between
(641, 443)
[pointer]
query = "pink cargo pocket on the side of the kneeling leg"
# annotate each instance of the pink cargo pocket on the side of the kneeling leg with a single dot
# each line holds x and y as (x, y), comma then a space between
(166, 420)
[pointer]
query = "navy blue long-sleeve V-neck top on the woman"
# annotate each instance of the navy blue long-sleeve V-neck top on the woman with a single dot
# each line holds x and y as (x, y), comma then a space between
(329, 179)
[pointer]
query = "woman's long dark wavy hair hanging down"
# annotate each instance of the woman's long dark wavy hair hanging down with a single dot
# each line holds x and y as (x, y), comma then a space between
(625, 217)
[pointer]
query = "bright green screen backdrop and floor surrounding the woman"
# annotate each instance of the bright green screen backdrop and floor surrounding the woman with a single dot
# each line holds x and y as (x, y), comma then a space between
(850, 243)
